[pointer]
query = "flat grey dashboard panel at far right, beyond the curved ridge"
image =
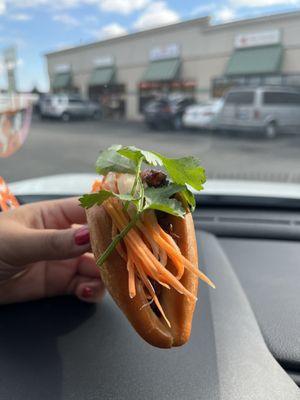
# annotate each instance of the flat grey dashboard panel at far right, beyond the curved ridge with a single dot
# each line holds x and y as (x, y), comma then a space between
(269, 271)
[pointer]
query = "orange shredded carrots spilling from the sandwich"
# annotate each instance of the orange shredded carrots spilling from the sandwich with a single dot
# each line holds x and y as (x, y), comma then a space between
(146, 249)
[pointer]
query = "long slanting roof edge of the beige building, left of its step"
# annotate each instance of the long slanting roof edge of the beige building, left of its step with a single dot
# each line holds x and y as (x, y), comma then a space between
(195, 21)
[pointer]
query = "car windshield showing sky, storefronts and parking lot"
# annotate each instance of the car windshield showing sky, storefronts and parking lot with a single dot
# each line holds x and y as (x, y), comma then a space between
(79, 76)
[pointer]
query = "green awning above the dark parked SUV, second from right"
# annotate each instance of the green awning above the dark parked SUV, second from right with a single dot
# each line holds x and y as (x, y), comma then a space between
(162, 70)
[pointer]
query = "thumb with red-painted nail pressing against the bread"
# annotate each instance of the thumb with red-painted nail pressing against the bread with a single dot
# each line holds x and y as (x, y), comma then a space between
(51, 244)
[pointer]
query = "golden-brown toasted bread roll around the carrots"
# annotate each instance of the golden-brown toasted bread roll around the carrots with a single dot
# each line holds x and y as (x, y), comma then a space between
(178, 308)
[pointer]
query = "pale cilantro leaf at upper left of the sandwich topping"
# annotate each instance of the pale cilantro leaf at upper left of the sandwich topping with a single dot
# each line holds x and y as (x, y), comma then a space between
(111, 161)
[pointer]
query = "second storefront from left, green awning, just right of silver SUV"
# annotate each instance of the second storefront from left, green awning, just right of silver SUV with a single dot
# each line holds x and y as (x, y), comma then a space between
(103, 88)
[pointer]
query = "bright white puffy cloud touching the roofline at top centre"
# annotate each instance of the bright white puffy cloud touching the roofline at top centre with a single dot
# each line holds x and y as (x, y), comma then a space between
(156, 14)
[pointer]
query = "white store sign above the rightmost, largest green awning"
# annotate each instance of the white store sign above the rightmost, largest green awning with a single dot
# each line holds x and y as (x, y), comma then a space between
(257, 39)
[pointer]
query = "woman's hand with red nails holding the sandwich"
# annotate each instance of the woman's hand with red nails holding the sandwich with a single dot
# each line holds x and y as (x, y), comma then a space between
(42, 253)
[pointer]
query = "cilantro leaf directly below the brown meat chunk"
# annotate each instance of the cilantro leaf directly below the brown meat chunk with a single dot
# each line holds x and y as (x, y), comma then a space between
(159, 199)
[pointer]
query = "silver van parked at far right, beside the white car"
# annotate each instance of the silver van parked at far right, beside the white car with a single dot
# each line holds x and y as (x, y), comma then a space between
(267, 109)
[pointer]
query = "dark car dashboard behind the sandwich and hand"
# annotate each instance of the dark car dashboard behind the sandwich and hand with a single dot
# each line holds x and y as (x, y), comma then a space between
(245, 337)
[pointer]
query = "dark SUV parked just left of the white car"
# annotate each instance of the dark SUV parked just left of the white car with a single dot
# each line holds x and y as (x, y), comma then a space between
(166, 112)
